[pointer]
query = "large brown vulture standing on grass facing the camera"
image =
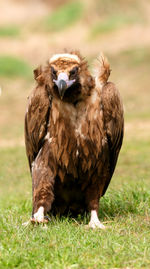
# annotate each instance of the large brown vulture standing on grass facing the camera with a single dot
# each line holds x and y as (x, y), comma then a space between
(73, 135)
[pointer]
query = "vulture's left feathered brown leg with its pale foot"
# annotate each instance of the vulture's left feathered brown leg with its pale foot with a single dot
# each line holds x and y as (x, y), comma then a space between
(43, 182)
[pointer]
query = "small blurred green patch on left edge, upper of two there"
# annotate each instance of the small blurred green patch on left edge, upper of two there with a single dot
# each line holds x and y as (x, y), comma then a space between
(9, 31)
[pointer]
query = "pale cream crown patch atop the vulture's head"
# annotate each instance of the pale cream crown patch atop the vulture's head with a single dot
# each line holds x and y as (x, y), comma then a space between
(64, 56)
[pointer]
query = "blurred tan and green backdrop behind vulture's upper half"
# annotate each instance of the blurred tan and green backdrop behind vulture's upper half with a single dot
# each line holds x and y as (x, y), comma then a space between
(32, 30)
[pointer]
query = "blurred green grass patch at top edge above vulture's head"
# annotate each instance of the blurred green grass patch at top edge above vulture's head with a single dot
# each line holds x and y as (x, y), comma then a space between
(63, 17)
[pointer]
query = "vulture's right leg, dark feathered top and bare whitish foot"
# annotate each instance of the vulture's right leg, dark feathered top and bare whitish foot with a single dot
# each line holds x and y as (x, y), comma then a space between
(92, 201)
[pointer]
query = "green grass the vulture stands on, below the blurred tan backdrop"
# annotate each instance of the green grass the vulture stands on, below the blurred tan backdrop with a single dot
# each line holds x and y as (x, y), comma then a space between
(67, 243)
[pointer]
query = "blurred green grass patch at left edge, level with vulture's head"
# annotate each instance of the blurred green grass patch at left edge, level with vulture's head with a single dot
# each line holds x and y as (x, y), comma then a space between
(14, 67)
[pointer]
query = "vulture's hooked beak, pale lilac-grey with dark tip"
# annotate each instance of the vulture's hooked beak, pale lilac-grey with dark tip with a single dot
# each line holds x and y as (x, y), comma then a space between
(63, 83)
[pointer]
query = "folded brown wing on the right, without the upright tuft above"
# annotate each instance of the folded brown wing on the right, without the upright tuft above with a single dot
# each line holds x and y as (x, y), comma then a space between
(114, 125)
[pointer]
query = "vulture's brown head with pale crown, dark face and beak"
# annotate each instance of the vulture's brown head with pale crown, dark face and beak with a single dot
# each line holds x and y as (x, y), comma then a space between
(67, 76)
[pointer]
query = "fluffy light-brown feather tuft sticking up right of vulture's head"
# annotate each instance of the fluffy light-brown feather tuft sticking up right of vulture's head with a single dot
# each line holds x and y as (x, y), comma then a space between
(102, 69)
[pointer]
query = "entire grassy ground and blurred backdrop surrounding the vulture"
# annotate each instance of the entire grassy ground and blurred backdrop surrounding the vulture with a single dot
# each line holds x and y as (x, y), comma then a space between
(121, 30)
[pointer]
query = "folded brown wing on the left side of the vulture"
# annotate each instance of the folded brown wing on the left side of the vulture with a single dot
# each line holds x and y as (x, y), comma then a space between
(36, 121)
